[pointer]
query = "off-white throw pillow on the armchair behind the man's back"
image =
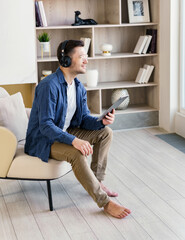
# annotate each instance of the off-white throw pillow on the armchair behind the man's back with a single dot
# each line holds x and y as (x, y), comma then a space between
(13, 115)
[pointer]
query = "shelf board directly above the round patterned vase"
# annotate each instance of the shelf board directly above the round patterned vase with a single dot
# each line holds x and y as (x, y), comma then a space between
(124, 84)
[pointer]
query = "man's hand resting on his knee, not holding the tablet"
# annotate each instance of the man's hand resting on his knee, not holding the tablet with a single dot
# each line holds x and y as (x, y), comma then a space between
(83, 146)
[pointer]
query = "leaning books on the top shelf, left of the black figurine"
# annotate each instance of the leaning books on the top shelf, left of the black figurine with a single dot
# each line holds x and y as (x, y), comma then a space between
(40, 14)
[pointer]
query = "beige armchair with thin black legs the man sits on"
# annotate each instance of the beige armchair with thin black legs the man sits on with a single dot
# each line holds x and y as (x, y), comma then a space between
(15, 164)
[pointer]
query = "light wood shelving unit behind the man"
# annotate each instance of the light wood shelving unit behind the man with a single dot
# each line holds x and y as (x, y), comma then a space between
(117, 71)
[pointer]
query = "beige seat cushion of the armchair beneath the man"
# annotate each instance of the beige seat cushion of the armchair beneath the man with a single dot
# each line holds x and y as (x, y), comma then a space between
(25, 166)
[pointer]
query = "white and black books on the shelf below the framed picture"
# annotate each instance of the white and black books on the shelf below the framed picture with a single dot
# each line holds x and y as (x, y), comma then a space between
(147, 43)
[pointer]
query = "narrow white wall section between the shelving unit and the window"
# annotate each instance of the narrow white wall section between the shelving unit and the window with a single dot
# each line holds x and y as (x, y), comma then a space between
(169, 63)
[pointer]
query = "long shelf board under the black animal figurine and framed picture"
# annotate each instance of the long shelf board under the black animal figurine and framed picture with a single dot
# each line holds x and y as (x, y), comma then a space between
(97, 26)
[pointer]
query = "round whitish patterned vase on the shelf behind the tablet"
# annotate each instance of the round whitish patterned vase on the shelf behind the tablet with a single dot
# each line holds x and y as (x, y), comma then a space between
(116, 94)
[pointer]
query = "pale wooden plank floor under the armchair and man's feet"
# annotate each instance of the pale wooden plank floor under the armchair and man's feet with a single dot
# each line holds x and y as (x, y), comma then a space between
(149, 176)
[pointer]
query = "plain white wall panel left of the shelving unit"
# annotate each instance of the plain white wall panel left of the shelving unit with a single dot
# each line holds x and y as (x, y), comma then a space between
(17, 42)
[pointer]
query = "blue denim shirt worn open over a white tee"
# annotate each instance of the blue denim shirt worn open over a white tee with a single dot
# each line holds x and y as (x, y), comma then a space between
(48, 115)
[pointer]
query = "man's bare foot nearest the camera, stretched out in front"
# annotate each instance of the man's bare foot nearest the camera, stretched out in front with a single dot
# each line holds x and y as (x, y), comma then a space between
(116, 210)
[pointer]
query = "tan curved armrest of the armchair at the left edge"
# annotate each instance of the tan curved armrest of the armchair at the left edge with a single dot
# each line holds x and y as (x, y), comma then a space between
(8, 146)
